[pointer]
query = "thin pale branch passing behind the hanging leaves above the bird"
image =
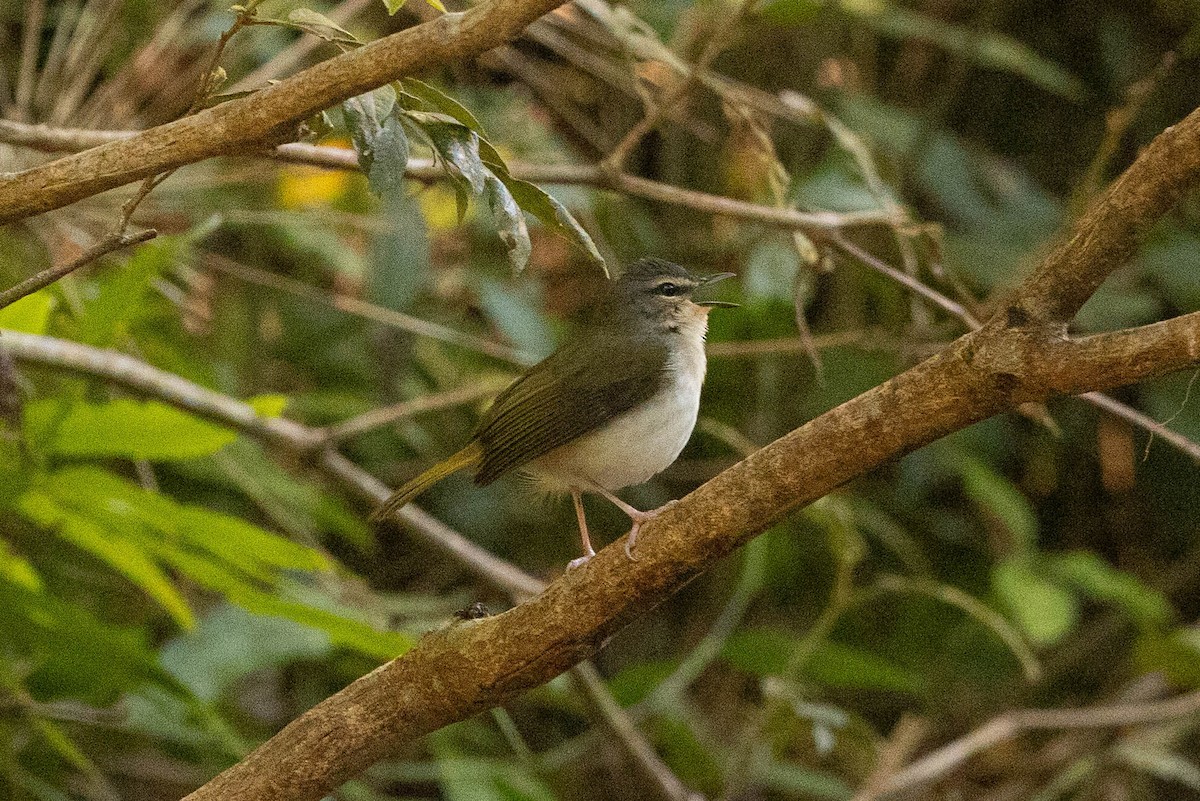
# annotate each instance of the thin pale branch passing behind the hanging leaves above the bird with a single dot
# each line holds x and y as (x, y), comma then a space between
(424, 170)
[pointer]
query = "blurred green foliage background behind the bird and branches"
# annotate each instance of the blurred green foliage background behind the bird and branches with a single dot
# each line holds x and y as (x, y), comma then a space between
(172, 594)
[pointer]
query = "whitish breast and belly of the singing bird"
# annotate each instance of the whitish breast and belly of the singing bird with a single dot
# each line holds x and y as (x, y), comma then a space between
(638, 444)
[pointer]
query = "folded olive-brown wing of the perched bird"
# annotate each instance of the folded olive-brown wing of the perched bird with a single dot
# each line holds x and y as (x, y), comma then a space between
(574, 392)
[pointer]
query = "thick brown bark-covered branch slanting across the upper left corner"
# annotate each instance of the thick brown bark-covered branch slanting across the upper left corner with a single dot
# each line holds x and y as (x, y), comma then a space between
(253, 122)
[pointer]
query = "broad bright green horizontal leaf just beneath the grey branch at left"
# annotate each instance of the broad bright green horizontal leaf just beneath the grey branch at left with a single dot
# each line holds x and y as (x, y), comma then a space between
(130, 429)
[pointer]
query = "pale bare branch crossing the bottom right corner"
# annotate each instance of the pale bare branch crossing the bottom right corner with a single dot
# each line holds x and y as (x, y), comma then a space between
(1013, 725)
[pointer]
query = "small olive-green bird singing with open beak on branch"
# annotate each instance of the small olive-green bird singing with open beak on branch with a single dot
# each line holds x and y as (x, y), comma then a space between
(610, 409)
